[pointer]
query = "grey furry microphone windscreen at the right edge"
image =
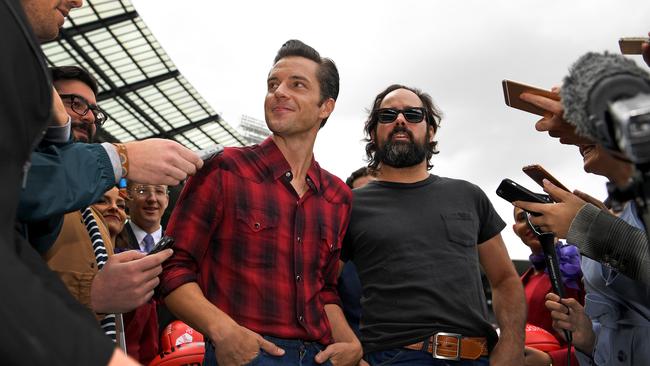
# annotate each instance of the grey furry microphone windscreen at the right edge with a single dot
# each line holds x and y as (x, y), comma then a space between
(584, 76)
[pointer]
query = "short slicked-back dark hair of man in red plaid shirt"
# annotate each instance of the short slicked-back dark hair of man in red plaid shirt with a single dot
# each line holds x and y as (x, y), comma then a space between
(327, 74)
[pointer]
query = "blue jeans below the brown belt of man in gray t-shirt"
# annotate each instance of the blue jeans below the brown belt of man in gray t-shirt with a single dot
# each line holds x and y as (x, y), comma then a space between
(403, 356)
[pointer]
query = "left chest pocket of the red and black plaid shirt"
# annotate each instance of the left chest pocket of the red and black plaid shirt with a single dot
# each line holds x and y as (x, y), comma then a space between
(258, 229)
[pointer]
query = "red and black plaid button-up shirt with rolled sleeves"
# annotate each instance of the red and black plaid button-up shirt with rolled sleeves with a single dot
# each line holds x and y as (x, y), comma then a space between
(260, 253)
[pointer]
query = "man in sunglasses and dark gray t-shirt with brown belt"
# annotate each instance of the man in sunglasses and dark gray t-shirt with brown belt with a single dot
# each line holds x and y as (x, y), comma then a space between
(418, 241)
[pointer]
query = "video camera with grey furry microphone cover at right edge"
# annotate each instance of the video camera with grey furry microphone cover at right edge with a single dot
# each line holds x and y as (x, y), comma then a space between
(607, 98)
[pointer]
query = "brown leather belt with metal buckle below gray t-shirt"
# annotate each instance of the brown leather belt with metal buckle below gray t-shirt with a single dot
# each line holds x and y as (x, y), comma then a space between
(453, 346)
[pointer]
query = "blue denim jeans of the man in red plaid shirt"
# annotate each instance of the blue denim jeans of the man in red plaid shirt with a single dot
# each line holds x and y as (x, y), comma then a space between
(296, 352)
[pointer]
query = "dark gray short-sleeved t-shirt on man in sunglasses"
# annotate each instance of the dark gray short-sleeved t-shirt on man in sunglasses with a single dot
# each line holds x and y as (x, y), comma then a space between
(415, 248)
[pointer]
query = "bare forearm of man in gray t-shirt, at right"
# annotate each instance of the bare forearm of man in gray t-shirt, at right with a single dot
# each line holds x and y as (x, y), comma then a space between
(509, 306)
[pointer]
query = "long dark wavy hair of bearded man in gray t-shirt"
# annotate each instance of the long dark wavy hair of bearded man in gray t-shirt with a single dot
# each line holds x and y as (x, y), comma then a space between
(433, 117)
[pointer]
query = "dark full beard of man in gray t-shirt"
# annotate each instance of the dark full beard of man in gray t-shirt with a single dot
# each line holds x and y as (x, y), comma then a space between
(401, 154)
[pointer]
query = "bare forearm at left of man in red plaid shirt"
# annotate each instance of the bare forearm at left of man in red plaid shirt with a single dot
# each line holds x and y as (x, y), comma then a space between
(189, 304)
